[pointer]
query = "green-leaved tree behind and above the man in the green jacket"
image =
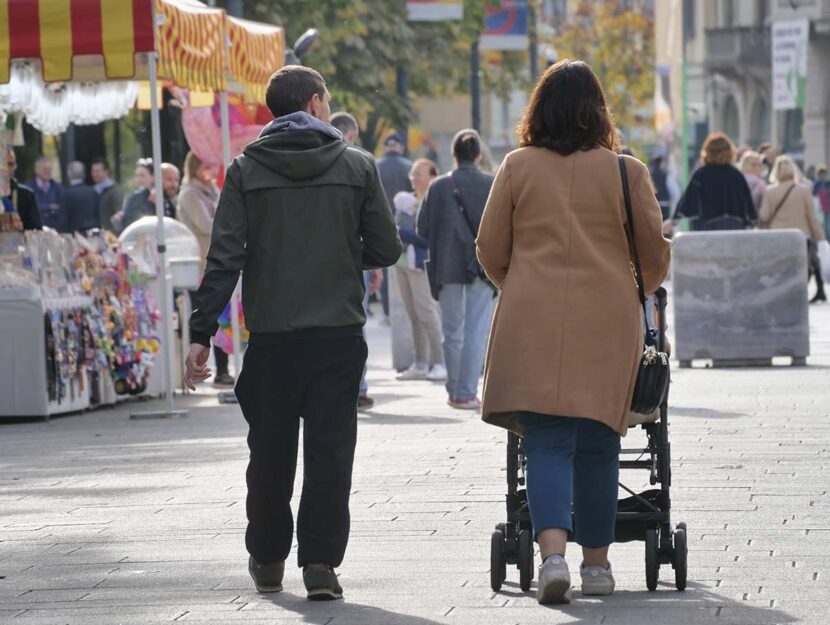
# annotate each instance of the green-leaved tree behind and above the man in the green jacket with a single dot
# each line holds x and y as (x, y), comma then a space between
(363, 43)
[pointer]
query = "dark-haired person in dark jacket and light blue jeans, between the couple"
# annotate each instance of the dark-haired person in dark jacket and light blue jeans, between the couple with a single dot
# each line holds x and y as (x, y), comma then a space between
(466, 299)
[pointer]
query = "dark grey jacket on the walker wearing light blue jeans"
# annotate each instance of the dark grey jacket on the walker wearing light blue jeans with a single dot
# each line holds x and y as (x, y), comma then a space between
(452, 248)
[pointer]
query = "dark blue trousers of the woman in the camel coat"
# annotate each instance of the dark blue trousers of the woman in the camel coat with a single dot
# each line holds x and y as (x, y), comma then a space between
(572, 465)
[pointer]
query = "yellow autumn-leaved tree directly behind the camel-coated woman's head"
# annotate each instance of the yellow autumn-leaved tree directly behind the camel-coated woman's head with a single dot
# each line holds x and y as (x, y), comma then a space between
(618, 43)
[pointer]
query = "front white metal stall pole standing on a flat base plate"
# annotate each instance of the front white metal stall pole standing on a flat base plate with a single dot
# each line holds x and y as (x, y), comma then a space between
(166, 312)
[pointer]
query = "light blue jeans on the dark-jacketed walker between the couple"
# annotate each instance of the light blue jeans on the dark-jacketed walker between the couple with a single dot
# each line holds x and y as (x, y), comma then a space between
(466, 312)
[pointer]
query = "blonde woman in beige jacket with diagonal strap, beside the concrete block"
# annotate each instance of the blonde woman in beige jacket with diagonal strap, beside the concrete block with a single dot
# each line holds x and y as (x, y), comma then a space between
(789, 204)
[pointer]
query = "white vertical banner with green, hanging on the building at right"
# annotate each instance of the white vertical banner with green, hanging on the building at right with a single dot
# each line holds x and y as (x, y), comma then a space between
(789, 64)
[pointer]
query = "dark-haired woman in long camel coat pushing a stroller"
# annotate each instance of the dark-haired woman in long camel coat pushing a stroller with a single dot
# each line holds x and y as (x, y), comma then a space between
(567, 334)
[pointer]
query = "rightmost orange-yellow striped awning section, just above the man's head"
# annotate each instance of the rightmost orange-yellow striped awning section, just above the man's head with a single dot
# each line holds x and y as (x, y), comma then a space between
(256, 51)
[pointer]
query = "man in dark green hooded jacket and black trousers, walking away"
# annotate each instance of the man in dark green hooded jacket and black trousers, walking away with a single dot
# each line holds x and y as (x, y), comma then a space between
(302, 214)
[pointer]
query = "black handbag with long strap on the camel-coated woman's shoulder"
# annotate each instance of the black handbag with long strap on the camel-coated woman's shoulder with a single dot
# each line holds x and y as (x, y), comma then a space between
(653, 373)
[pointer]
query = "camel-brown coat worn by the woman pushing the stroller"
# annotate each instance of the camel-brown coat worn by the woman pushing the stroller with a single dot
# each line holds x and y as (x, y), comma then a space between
(567, 335)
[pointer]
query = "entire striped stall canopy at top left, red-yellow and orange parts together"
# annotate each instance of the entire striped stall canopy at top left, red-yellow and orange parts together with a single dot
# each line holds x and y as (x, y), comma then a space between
(72, 37)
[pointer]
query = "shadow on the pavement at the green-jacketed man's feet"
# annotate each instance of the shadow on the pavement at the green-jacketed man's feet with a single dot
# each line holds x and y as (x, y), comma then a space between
(343, 612)
